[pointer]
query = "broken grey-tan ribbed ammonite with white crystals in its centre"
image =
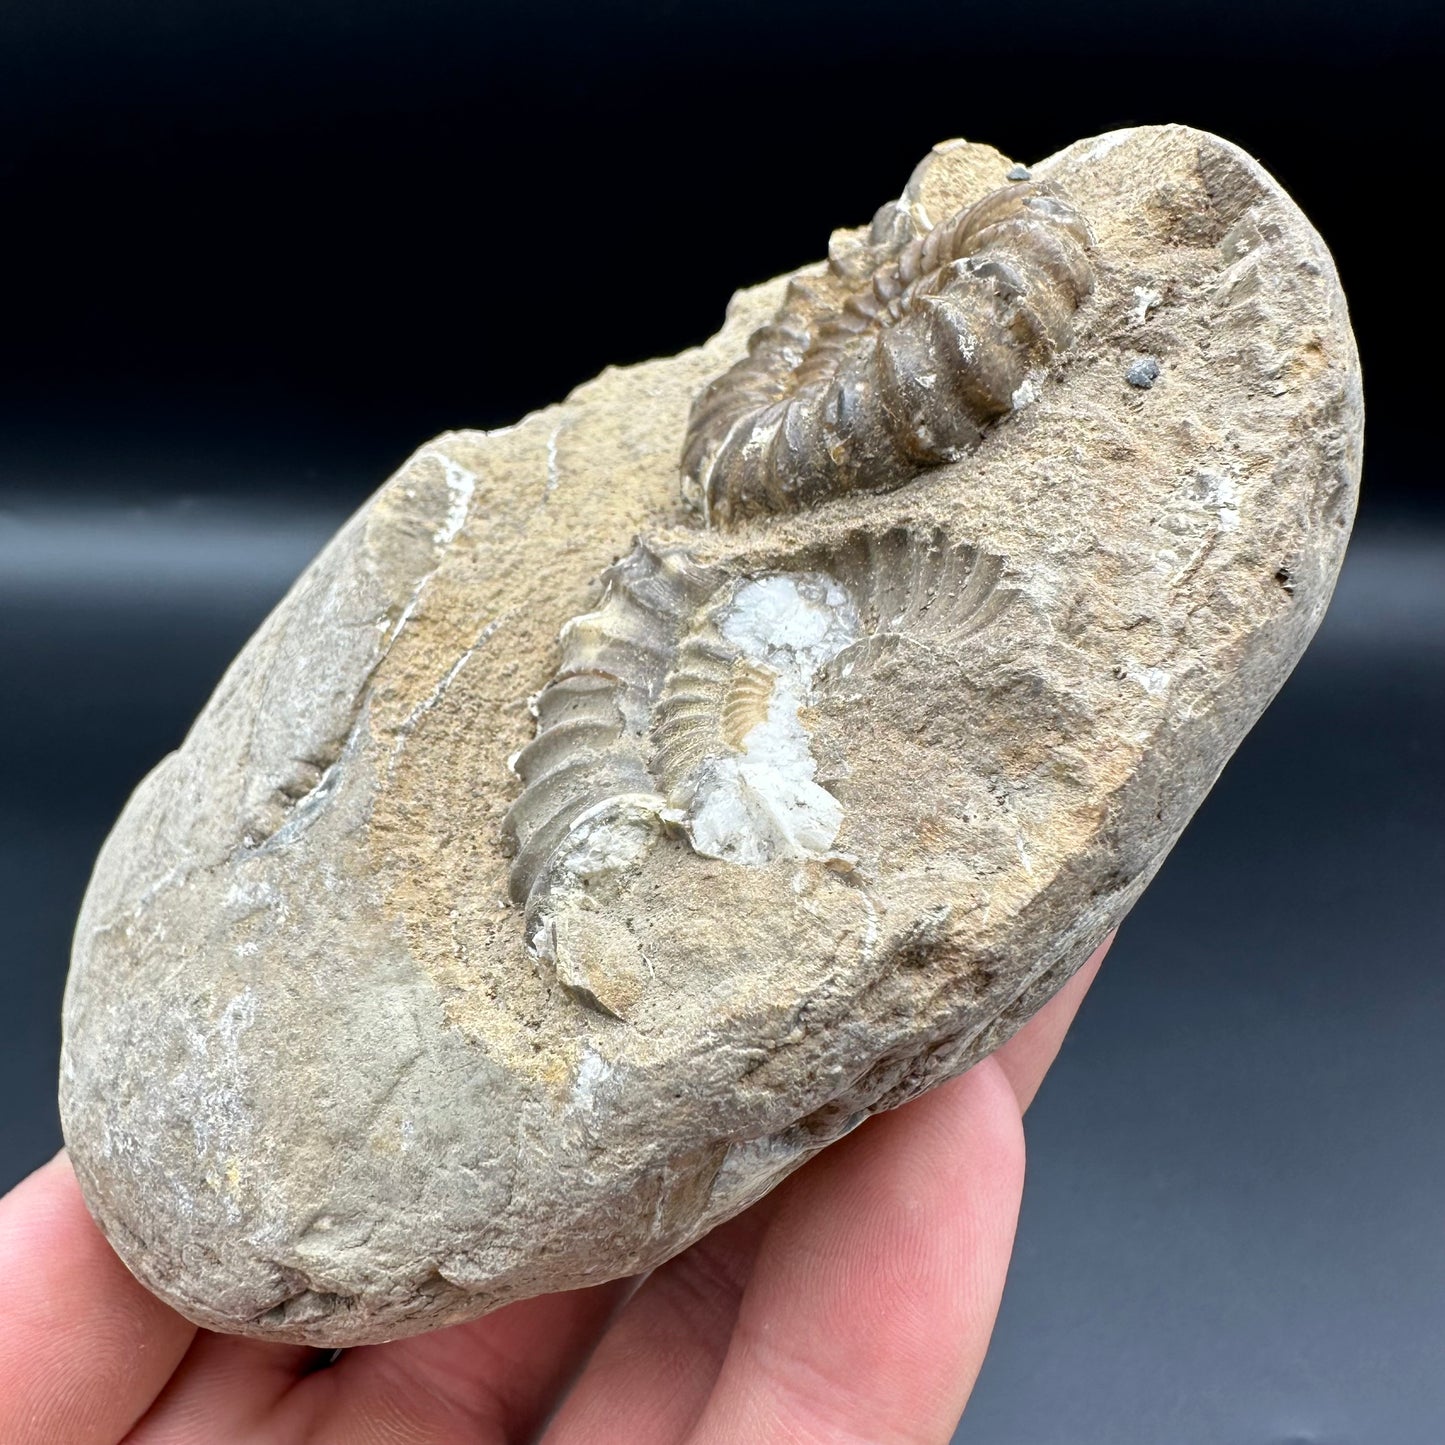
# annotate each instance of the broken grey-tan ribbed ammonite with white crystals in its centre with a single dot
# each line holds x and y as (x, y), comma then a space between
(680, 707)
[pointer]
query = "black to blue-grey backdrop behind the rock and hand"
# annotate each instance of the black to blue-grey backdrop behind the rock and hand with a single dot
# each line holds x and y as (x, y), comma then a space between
(256, 254)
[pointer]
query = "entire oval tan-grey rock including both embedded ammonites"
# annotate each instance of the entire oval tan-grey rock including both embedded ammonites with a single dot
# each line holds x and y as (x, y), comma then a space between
(629, 803)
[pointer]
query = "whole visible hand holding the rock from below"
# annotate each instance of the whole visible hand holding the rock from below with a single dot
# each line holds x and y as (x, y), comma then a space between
(855, 1304)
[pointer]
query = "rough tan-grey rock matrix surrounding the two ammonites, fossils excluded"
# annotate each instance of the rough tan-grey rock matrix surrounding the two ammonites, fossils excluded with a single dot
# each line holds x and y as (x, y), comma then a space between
(316, 1087)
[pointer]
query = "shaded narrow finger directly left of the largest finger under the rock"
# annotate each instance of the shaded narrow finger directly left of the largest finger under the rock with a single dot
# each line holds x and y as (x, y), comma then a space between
(655, 1368)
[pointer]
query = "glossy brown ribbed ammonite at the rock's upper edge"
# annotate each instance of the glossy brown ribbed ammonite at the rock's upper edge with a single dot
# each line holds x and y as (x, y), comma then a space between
(891, 362)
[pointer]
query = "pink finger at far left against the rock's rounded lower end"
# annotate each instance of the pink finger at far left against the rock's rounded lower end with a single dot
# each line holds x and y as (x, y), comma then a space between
(85, 1347)
